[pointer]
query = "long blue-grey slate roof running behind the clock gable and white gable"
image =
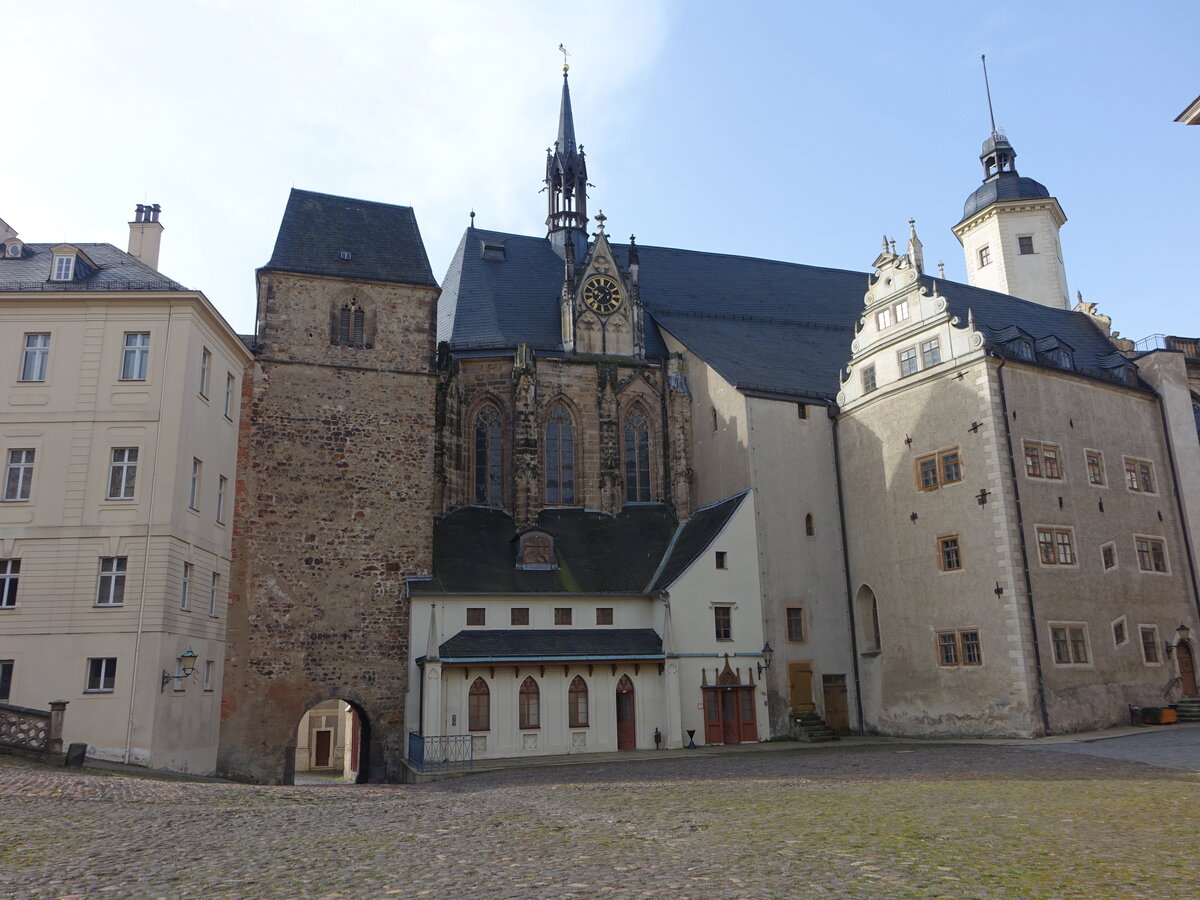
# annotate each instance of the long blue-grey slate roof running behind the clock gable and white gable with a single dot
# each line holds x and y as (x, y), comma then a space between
(764, 326)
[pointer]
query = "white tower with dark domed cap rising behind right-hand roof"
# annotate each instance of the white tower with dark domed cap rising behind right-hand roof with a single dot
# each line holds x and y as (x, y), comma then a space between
(1010, 231)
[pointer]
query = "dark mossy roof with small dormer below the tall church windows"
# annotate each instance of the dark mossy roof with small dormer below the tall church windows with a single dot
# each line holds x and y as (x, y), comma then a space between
(475, 553)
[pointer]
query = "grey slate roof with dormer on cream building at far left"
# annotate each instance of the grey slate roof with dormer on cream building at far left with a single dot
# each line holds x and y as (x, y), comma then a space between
(116, 271)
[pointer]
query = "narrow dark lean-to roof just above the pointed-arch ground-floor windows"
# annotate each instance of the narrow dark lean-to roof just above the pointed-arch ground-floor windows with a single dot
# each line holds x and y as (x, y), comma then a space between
(501, 646)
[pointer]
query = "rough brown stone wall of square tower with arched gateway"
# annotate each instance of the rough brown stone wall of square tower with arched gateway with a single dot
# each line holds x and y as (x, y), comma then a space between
(335, 496)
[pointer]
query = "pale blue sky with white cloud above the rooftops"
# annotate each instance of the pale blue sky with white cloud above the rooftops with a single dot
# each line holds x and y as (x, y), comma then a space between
(800, 131)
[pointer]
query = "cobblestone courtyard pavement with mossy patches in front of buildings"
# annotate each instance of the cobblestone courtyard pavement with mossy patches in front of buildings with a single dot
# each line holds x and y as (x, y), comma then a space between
(887, 821)
